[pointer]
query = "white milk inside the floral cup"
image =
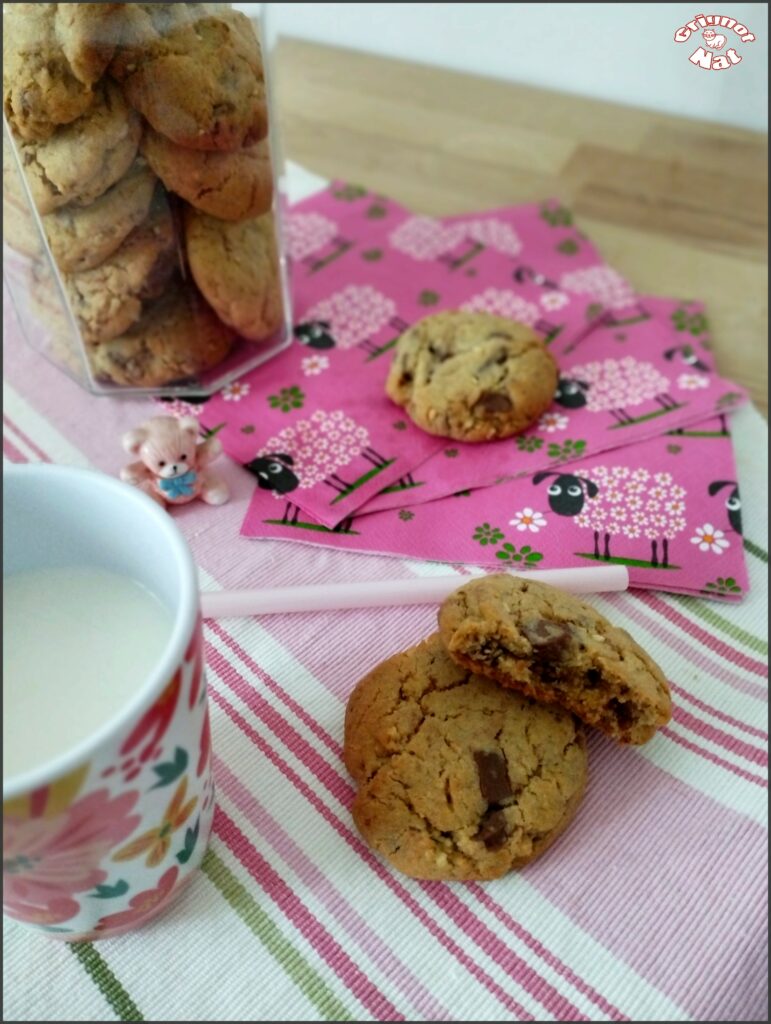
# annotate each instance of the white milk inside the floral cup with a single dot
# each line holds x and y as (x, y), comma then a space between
(78, 645)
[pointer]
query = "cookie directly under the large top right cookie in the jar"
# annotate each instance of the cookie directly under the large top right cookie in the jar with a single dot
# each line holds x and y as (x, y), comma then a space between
(230, 186)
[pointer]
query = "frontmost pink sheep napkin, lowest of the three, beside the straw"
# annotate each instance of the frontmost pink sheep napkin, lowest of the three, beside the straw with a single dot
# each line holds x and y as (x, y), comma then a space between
(669, 508)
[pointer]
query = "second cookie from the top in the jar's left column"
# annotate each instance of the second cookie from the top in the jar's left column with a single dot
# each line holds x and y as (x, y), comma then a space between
(83, 159)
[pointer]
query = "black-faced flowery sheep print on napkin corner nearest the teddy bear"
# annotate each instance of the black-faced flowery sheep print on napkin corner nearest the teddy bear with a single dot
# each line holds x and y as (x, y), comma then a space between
(311, 452)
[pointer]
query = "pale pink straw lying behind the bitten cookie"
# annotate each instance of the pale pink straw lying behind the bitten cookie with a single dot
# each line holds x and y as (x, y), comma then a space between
(378, 593)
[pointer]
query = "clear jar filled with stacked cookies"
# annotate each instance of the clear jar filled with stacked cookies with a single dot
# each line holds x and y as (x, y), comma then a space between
(142, 201)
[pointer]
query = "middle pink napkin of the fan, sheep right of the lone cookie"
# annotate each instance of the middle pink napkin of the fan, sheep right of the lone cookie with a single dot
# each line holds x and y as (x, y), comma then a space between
(626, 382)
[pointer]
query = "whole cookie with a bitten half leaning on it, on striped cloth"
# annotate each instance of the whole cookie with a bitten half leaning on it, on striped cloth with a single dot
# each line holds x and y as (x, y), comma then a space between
(469, 750)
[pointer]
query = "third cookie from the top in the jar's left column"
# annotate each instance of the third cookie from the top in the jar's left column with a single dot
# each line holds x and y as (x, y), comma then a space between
(83, 237)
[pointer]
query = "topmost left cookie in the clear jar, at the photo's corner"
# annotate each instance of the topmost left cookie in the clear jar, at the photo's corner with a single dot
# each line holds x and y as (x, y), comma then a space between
(53, 56)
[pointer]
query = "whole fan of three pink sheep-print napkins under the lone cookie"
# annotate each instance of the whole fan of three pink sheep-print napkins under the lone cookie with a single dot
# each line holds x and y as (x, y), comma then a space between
(336, 463)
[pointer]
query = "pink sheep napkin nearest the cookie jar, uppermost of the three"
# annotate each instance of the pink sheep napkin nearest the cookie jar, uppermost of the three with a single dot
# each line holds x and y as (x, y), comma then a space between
(315, 422)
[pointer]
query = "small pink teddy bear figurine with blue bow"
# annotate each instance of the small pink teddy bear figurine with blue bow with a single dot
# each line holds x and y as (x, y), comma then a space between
(174, 465)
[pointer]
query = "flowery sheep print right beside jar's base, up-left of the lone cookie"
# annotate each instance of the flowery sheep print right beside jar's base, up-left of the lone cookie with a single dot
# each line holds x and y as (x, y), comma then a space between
(350, 318)
